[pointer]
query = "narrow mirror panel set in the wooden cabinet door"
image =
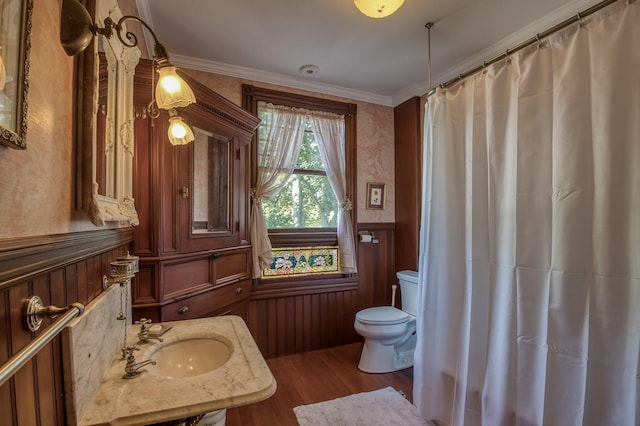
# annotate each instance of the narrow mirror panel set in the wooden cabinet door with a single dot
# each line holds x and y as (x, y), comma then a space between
(210, 182)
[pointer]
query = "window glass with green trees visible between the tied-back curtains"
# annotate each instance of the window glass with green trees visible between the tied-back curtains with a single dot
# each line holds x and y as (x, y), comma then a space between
(307, 199)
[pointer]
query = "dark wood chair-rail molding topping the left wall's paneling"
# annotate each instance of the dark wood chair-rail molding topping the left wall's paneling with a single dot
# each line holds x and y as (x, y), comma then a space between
(27, 257)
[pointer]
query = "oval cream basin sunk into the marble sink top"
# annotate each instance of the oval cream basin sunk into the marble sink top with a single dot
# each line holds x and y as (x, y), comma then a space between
(190, 357)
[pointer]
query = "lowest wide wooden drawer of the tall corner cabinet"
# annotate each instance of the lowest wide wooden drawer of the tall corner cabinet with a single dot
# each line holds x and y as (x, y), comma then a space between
(205, 304)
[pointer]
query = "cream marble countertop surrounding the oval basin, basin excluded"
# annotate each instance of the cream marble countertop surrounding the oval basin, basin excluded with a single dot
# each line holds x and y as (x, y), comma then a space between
(244, 379)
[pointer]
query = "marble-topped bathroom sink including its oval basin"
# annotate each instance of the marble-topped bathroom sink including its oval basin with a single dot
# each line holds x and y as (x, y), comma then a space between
(202, 365)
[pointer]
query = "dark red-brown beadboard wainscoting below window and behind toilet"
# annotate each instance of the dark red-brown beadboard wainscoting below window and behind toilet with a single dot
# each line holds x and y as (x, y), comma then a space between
(294, 317)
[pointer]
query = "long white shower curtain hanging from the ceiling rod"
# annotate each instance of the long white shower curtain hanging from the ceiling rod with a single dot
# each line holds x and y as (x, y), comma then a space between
(530, 246)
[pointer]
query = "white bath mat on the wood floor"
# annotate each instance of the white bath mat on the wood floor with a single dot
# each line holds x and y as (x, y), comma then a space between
(382, 407)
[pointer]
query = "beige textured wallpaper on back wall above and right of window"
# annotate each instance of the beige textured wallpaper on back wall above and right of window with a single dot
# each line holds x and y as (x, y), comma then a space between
(375, 140)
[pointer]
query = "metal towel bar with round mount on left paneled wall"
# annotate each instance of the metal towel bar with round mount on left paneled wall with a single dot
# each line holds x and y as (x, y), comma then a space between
(33, 313)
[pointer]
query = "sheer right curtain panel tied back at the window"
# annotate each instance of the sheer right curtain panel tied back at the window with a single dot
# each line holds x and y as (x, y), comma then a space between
(328, 130)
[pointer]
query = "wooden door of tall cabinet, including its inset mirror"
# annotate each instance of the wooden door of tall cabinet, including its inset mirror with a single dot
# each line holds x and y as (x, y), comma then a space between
(209, 188)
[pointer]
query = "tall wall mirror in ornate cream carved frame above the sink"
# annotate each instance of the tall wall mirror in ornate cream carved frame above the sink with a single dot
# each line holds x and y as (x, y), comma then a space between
(105, 136)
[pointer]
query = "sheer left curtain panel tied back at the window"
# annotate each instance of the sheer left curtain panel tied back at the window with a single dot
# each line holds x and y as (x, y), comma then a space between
(283, 129)
